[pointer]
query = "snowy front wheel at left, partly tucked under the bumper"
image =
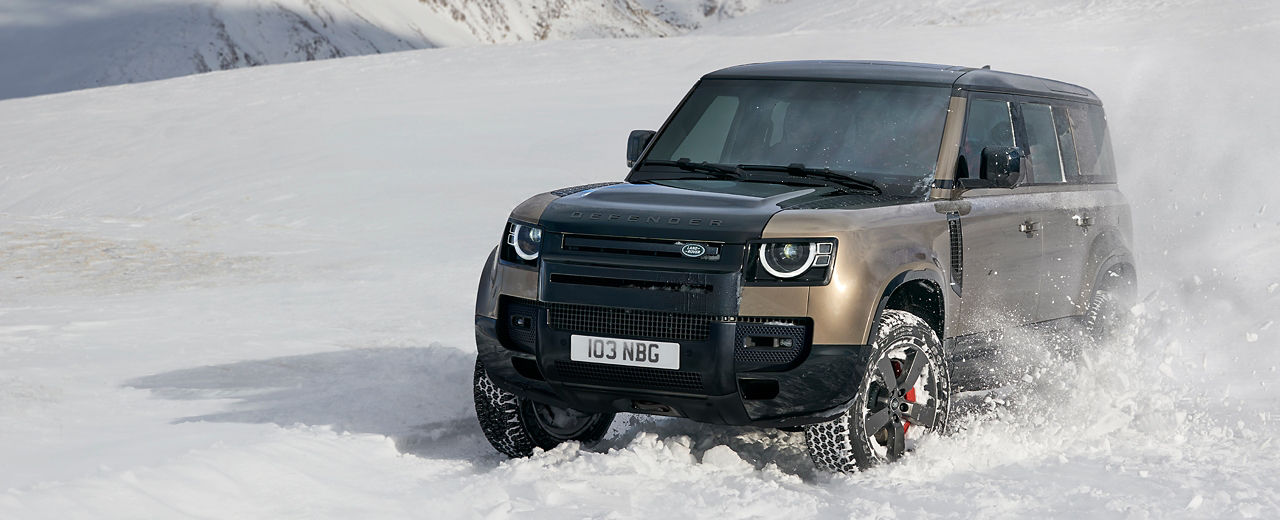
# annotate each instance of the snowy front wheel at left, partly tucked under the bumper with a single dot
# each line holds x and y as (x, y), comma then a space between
(516, 426)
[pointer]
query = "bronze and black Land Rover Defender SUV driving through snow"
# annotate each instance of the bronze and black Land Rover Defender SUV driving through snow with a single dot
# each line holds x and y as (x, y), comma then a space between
(829, 247)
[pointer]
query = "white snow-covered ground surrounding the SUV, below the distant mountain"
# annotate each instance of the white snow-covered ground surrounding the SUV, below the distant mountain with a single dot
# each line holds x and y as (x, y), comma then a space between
(249, 294)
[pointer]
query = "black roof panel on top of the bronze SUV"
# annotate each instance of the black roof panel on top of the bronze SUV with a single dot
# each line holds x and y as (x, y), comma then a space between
(902, 72)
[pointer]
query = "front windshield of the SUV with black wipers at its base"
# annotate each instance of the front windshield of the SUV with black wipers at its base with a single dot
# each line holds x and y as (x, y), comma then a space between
(884, 133)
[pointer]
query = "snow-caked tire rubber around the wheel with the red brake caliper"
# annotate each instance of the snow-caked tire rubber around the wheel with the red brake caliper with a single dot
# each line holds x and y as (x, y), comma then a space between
(843, 444)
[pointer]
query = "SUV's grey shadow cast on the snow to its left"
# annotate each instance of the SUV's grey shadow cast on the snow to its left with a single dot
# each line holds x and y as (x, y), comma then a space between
(418, 396)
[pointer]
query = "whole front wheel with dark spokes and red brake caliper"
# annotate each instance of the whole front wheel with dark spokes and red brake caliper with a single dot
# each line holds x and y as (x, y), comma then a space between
(904, 394)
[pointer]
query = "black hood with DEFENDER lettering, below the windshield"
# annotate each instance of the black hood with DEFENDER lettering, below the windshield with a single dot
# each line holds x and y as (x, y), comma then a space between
(726, 212)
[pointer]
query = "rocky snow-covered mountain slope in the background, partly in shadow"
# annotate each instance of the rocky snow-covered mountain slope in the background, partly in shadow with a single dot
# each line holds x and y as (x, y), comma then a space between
(53, 47)
